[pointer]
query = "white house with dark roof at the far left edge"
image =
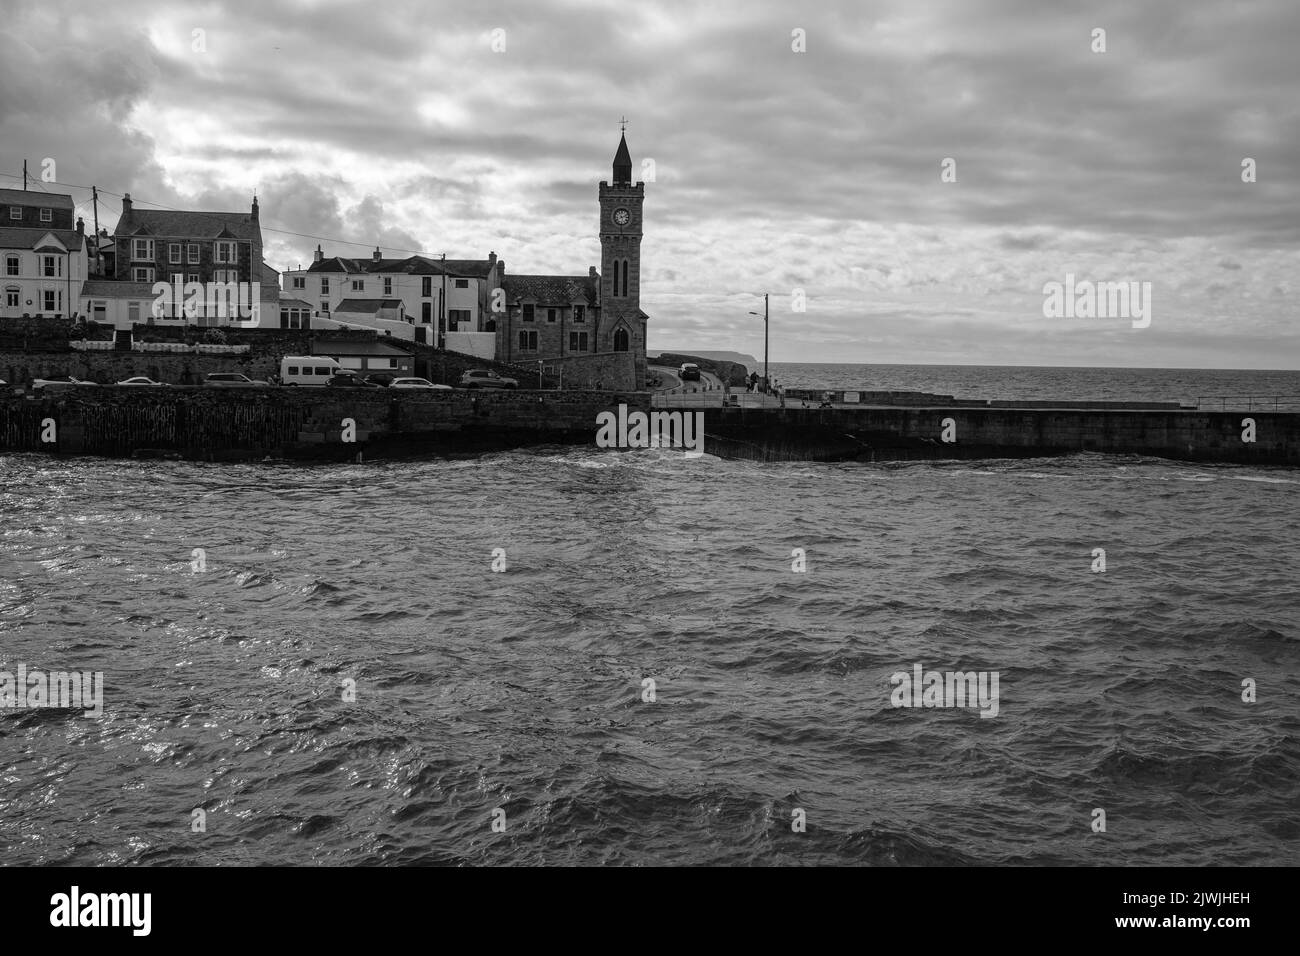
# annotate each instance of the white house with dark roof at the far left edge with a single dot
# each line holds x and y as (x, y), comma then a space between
(44, 259)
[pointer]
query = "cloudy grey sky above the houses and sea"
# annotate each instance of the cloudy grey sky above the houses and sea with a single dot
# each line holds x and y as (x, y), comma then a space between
(465, 128)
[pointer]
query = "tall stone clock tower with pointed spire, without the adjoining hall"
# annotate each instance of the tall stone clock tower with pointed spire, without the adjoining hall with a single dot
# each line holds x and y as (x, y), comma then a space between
(623, 325)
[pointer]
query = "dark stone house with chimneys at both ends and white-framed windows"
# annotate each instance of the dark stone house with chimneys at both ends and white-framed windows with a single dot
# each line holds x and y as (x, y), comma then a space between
(164, 245)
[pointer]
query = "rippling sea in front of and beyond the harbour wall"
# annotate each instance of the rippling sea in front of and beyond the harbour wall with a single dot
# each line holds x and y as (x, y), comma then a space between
(564, 656)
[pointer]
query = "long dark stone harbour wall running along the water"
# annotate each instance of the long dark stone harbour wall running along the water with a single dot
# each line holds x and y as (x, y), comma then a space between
(203, 423)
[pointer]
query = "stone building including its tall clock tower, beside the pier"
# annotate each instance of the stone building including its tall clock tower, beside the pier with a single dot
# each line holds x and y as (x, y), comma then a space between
(557, 319)
